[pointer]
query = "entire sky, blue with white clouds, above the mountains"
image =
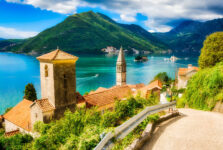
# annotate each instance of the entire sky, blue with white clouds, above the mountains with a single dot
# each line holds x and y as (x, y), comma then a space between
(26, 18)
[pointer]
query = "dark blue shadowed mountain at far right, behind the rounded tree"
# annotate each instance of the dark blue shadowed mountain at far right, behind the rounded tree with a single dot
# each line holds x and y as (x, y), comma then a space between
(189, 35)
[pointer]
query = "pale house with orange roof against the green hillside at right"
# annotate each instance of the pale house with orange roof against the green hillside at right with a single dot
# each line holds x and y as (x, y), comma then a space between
(184, 74)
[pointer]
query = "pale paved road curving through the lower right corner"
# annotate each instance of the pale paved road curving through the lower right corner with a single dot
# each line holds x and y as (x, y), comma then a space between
(194, 130)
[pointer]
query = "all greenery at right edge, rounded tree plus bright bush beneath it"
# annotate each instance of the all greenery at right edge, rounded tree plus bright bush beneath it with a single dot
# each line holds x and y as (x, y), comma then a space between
(205, 88)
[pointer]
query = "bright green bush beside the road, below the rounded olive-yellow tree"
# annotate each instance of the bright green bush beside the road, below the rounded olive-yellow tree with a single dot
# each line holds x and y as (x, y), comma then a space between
(204, 89)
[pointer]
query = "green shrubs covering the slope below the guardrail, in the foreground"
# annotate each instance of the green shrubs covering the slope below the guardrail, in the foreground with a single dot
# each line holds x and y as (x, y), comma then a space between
(79, 130)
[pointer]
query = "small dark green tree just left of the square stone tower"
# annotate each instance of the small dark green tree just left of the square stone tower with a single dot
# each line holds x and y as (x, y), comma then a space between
(30, 92)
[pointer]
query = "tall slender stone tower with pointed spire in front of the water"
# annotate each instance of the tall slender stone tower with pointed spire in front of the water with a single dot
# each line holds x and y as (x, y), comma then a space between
(121, 68)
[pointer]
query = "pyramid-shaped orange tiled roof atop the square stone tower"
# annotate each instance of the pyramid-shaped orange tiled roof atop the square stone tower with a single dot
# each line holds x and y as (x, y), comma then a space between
(57, 55)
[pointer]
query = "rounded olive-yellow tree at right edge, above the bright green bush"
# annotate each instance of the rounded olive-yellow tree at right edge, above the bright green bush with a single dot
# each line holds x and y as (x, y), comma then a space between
(212, 51)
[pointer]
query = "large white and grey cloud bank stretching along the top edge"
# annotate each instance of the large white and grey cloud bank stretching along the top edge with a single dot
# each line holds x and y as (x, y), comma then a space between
(160, 11)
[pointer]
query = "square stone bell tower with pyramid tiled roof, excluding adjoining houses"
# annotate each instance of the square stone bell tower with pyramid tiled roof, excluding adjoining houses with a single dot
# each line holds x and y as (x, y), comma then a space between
(58, 80)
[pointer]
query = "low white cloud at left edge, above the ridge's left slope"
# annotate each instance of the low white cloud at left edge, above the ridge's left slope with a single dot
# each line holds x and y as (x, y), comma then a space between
(11, 33)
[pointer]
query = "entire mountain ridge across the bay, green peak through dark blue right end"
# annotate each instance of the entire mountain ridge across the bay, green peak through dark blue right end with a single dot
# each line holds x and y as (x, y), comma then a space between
(89, 32)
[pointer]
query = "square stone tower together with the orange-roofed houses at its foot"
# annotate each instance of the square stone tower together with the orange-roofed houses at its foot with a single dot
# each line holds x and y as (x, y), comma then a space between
(58, 90)
